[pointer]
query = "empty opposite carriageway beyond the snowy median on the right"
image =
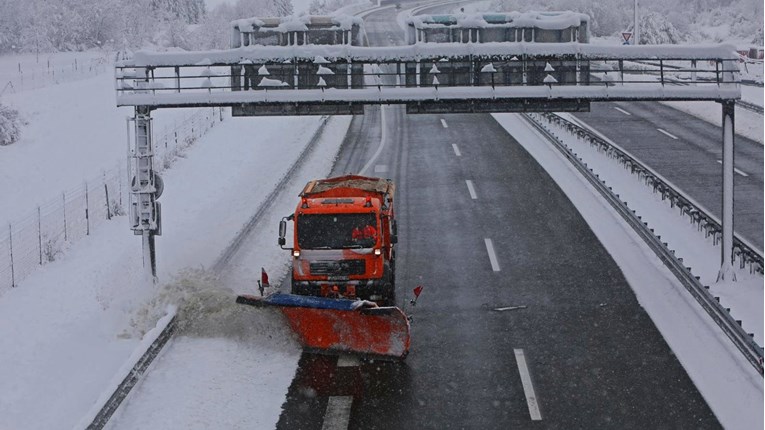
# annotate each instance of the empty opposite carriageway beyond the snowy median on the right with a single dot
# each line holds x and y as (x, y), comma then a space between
(688, 152)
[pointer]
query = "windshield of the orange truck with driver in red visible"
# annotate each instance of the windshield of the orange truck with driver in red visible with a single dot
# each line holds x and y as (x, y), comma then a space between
(337, 231)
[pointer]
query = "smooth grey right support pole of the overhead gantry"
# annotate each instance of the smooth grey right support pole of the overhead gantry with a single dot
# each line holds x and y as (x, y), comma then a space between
(726, 265)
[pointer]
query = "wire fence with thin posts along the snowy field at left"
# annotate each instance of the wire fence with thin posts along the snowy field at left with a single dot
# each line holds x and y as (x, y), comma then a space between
(46, 232)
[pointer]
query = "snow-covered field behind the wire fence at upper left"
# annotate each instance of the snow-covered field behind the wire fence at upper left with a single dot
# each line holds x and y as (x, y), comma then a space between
(74, 132)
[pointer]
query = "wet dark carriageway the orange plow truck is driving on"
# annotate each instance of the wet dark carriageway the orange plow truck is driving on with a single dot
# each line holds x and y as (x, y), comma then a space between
(483, 228)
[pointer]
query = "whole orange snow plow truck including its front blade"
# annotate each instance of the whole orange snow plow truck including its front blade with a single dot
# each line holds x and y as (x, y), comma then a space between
(343, 269)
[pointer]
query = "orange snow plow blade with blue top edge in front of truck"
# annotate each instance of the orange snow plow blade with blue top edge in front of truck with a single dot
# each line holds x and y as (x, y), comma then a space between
(341, 325)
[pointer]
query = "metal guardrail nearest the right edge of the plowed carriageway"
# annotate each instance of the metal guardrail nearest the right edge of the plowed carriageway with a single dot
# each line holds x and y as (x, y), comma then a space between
(720, 315)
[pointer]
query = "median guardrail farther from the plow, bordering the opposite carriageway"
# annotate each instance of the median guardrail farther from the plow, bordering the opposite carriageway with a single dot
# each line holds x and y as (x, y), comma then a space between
(744, 251)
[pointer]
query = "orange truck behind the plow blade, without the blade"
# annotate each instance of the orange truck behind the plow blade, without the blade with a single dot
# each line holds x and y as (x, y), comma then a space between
(344, 237)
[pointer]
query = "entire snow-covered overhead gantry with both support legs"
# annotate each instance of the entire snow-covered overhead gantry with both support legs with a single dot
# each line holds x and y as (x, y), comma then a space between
(426, 78)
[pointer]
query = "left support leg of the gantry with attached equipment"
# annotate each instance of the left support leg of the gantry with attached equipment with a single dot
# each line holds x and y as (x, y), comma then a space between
(145, 210)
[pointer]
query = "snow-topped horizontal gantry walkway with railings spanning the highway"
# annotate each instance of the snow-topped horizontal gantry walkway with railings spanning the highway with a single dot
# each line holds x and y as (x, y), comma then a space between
(428, 73)
